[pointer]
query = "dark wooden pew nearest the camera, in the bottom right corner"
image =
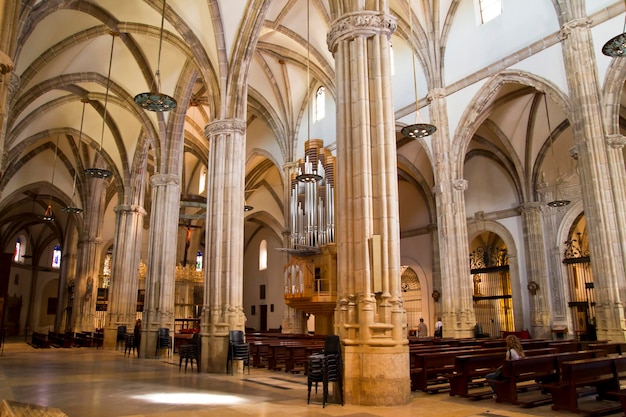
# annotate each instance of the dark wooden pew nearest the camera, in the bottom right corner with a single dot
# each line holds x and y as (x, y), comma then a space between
(598, 373)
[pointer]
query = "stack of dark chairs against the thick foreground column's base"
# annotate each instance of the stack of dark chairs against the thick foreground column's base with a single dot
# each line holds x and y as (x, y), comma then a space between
(325, 367)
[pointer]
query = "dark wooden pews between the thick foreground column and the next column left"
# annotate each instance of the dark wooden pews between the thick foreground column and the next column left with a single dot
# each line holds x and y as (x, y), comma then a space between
(287, 352)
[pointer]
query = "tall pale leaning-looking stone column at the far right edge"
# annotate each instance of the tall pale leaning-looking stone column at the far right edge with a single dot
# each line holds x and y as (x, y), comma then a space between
(598, 199)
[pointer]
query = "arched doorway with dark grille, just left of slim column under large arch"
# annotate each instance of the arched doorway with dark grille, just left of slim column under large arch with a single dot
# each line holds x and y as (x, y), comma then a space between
(492, 296)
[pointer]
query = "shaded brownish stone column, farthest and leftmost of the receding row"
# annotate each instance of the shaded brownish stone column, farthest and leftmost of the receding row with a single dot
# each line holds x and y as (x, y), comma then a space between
(89, 256)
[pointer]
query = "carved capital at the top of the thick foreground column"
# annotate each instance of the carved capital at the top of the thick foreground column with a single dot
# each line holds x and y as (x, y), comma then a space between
(363, 23)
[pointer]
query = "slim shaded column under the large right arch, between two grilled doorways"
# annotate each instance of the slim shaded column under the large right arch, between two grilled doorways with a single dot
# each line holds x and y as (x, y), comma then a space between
(540, 316)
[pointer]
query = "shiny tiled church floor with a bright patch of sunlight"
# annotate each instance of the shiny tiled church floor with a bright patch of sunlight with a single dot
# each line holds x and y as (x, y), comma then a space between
(85, 382)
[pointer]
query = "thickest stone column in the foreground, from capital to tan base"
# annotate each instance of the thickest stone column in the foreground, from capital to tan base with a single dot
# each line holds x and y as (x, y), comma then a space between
(369, 317)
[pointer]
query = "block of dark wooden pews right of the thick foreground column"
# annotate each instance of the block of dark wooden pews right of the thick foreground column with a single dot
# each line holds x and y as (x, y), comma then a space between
(557, 372)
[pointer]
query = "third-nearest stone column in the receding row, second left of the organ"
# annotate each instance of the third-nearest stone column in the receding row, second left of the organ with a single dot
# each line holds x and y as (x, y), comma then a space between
(159, 302)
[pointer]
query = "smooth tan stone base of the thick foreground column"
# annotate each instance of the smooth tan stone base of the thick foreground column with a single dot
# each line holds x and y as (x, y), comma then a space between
(377, 376)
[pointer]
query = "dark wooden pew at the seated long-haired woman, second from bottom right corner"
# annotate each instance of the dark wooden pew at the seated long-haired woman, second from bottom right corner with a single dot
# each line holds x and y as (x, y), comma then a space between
(544, 368)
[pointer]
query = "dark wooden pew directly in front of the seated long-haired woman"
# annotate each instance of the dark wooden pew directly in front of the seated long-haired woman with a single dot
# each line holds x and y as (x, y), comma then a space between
(469, 368)
